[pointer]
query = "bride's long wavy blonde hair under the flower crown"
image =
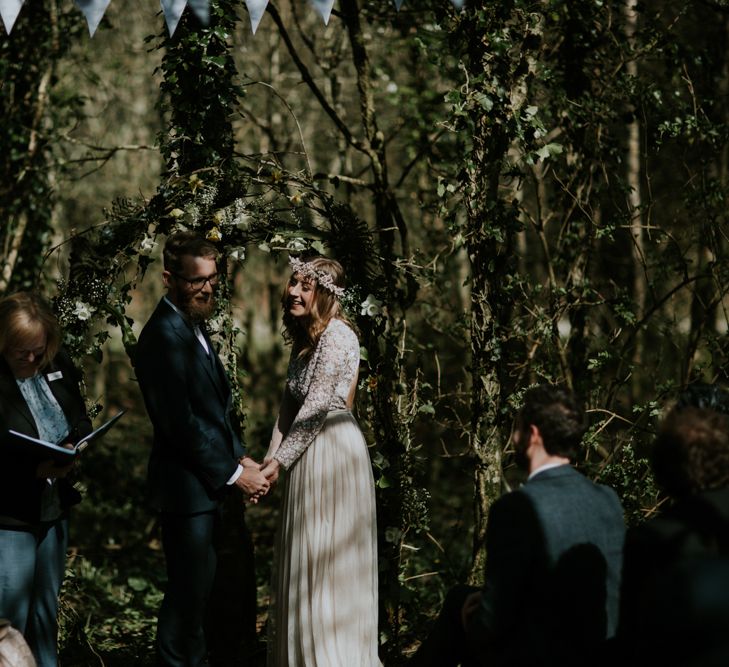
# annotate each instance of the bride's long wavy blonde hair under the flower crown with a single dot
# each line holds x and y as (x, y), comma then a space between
(304, 332)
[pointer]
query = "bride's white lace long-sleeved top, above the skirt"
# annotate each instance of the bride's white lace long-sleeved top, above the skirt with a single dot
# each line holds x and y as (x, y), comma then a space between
(315, 385)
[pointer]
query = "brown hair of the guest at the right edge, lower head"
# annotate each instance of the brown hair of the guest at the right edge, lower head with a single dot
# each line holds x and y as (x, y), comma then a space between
(691, 452)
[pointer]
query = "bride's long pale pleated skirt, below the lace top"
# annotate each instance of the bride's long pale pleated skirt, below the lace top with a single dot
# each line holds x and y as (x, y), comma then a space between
(324, 589)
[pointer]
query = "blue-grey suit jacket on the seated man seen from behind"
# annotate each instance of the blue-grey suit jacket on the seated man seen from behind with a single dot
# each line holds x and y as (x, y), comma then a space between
(552, 573)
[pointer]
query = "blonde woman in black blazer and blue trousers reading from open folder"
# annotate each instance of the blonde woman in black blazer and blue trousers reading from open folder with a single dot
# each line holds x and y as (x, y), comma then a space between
(40, 397)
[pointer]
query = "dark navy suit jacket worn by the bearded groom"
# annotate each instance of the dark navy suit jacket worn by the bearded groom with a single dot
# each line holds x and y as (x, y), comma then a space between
(187, 395)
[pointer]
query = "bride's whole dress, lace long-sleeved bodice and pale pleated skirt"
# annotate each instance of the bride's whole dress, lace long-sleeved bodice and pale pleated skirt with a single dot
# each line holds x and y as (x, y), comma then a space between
(324, 601)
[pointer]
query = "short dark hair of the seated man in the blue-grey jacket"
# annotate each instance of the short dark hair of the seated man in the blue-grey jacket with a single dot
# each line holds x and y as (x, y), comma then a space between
(560, 420)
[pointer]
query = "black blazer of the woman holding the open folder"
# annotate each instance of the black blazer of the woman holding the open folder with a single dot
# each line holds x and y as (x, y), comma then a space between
(20, 489)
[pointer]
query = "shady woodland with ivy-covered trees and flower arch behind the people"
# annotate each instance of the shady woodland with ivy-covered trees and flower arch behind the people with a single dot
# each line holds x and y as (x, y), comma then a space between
(521, 192)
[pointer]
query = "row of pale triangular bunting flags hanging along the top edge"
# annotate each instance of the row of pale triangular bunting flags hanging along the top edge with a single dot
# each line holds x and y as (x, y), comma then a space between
(93, 11)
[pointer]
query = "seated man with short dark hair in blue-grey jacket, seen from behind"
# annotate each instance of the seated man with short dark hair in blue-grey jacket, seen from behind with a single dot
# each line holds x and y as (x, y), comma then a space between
(553, 557)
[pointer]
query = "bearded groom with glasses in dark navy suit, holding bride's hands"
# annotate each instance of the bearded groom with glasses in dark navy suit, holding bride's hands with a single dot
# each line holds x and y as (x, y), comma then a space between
(197, 456)
